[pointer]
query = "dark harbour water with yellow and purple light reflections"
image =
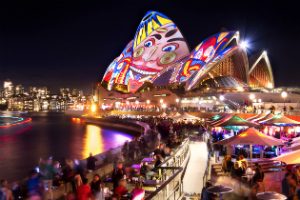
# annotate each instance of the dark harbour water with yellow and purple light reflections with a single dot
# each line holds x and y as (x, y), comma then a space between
(52, 135)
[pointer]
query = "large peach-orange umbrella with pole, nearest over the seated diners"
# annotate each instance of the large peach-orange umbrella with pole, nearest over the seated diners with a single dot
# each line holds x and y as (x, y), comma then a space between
(249, 137)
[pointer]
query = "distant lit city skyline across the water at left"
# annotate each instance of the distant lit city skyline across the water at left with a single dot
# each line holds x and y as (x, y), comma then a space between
(40, 99)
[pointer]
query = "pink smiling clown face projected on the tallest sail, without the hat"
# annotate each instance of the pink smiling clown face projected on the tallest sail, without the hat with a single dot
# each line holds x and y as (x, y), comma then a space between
(162, 48)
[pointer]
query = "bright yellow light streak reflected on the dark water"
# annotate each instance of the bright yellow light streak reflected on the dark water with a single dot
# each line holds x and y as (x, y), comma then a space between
(93, 141)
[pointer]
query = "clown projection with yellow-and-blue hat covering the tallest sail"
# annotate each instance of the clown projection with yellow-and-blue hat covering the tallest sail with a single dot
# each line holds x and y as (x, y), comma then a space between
(157, 45)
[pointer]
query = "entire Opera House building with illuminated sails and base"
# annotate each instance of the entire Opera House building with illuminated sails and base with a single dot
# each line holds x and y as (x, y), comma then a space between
(158, 58)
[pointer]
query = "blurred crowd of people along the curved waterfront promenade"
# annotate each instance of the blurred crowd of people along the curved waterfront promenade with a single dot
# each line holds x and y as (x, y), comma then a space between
(71, 177)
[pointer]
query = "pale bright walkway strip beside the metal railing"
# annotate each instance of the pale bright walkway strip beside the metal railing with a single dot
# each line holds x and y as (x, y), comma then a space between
(193, 178)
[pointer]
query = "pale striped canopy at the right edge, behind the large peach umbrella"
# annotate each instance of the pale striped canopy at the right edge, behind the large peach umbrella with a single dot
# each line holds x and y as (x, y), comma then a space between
(280, 120)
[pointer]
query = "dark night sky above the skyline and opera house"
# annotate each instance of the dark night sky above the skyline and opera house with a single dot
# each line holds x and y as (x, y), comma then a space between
(70, 44)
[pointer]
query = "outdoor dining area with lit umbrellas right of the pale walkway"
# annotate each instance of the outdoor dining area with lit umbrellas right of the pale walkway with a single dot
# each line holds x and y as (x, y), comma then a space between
(248, 161)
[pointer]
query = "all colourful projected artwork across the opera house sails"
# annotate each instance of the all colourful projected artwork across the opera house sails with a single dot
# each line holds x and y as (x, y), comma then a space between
(159, 54)
